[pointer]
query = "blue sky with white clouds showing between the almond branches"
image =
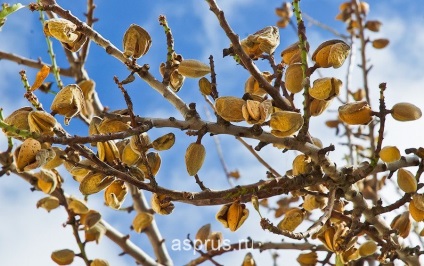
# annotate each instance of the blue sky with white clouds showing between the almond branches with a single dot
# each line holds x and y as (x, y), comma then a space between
(30, 231)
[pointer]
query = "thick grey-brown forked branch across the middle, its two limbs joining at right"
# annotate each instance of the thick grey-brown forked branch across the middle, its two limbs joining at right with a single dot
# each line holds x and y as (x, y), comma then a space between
(262, 189)
